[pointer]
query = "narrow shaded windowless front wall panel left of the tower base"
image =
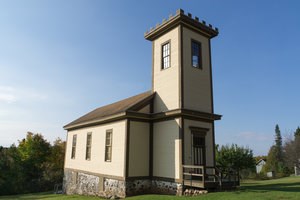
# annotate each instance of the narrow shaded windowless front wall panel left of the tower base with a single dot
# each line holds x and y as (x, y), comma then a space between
(139, 149)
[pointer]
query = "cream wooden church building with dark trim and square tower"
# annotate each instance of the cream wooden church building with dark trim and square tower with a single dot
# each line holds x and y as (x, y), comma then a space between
(160, 141)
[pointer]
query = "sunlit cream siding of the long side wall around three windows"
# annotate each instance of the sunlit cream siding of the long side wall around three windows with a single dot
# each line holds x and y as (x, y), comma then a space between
(97, 163)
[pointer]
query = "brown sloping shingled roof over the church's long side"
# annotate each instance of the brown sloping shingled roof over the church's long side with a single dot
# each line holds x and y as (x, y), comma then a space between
(132, 103)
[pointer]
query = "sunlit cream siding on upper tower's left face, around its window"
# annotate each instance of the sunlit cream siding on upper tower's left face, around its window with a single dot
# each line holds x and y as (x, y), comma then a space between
(166, 82)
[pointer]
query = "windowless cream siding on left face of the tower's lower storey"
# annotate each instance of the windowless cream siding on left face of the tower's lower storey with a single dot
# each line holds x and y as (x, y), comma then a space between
(166, 161)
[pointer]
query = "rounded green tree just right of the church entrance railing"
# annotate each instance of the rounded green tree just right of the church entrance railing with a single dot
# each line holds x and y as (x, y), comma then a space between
(234, 157)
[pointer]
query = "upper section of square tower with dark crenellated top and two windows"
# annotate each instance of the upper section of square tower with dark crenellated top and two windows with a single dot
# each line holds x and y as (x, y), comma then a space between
(181, 63)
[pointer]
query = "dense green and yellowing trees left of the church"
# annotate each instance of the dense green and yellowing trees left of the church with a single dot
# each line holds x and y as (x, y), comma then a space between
(34, 165)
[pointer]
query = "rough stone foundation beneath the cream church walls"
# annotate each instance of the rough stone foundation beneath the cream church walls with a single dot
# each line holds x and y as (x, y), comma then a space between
(88, 184)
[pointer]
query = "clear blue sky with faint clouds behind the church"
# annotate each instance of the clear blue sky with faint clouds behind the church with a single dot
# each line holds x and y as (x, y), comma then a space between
(61, 59)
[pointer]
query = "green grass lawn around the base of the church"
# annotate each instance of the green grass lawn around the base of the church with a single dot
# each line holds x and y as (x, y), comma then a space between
(284, 188)
